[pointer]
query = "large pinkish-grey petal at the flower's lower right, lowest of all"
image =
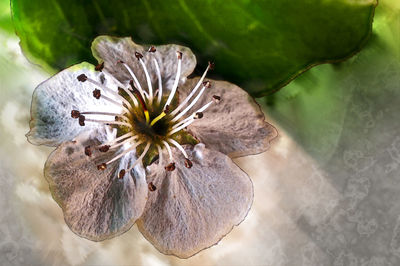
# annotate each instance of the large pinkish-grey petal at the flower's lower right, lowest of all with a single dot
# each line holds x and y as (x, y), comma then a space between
(192, 209)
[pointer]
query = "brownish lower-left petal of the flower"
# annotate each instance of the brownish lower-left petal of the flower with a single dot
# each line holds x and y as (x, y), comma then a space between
(97, 204)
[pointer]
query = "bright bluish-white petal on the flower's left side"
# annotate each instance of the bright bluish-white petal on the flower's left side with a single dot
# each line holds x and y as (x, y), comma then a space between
(54, 99)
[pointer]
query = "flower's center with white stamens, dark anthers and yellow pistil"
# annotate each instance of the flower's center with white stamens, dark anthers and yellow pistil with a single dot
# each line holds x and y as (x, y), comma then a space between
(149, 121)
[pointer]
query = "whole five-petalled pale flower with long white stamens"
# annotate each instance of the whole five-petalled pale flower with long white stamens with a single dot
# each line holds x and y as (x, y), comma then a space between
(138, 141)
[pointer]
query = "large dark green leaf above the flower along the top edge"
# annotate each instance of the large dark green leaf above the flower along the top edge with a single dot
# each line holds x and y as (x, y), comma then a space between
(260, 45)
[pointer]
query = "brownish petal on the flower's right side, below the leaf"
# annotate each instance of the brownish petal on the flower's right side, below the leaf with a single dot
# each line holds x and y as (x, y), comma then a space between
(235, 126)
